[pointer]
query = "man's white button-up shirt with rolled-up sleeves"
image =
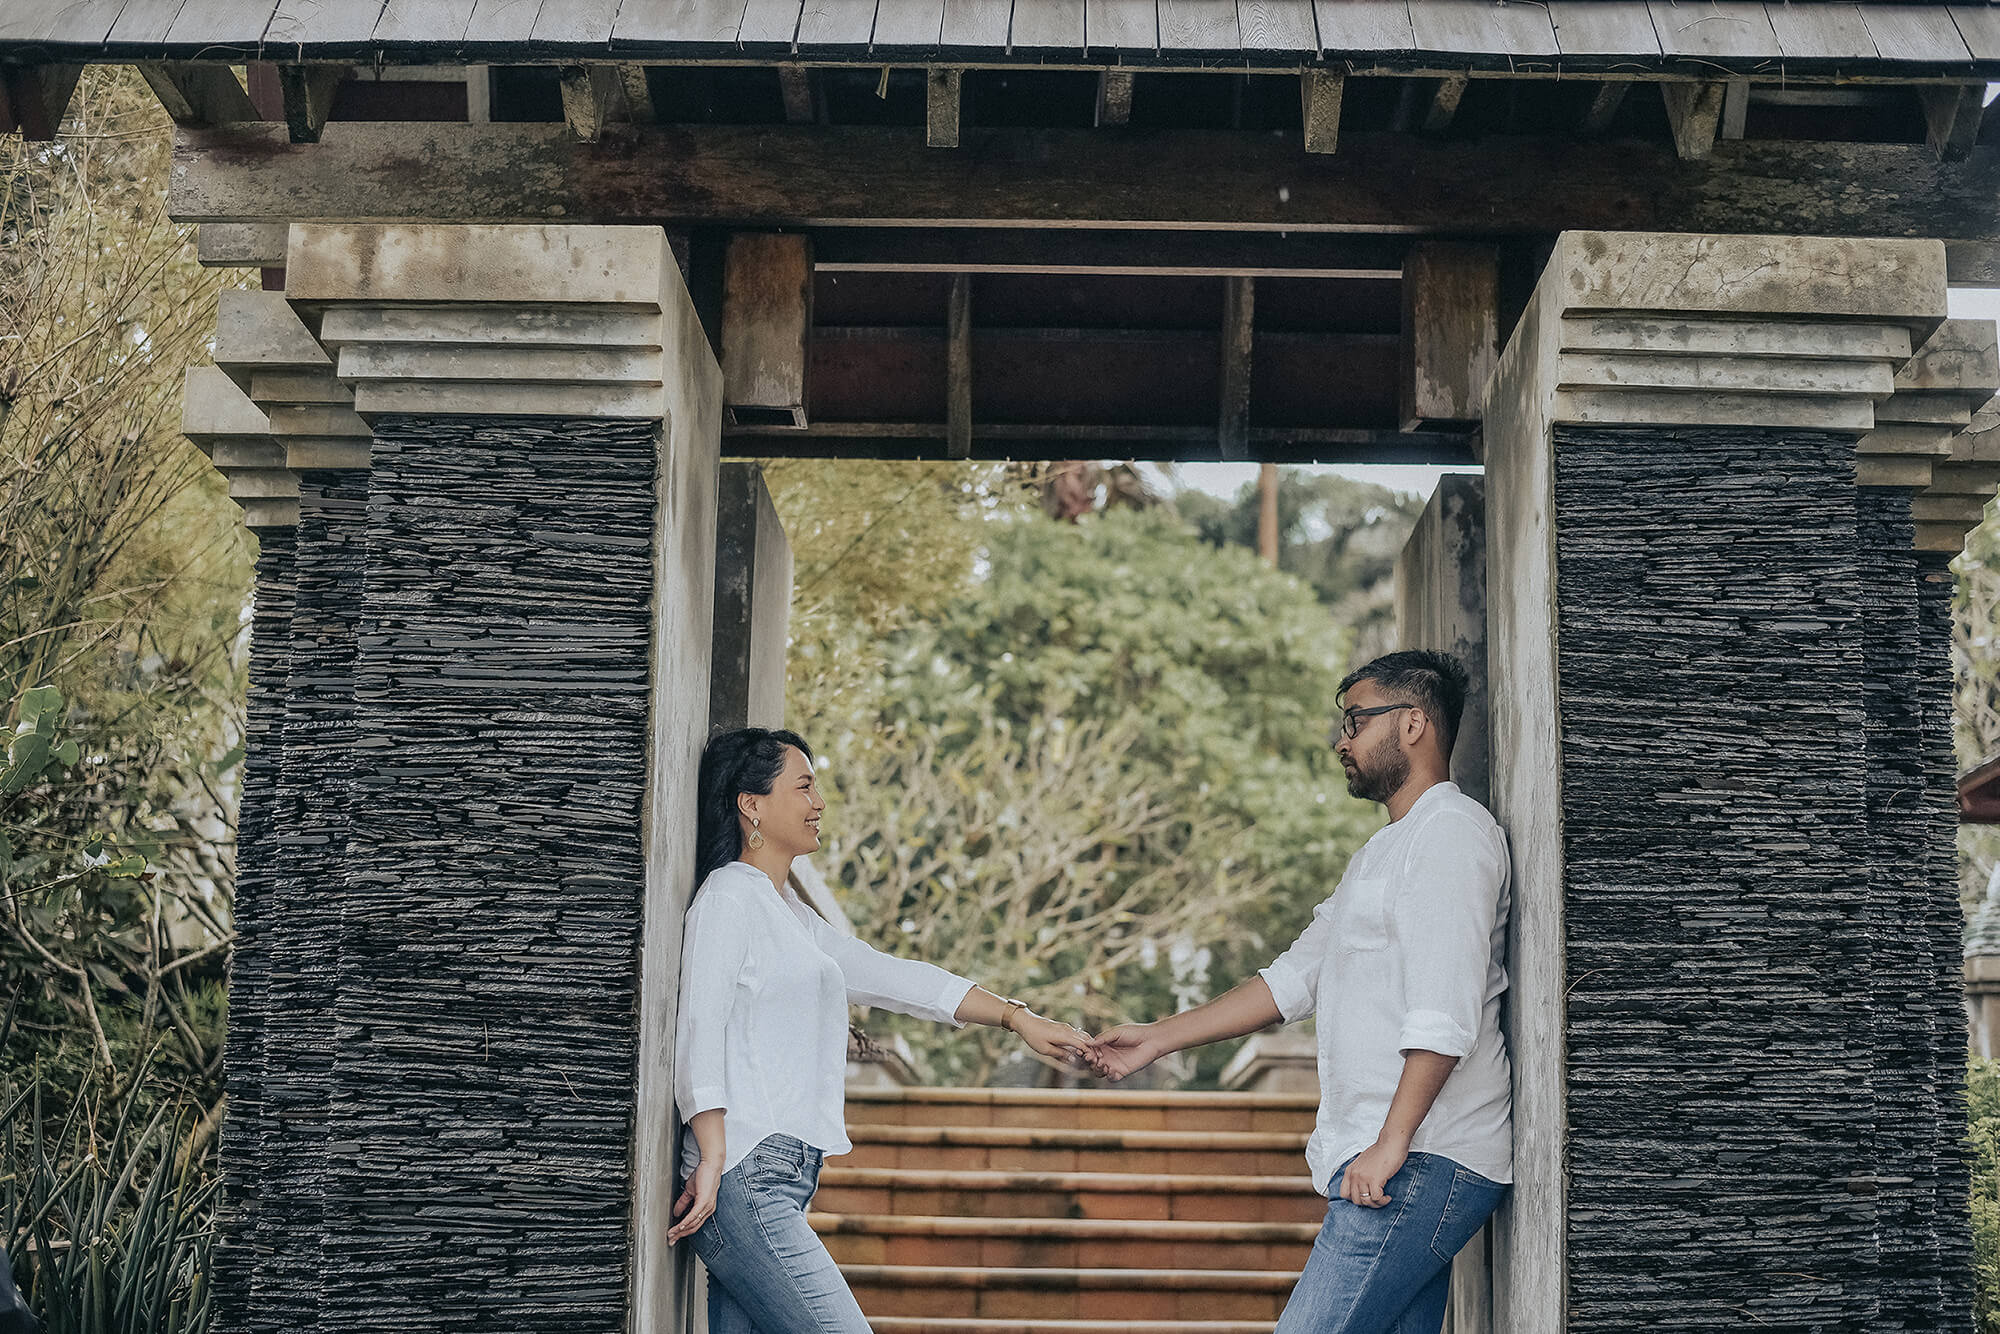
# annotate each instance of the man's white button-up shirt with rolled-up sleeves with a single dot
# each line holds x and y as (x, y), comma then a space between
(1409, 955)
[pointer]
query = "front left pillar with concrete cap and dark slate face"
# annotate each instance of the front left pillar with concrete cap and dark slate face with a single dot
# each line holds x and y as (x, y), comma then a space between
(527, 567)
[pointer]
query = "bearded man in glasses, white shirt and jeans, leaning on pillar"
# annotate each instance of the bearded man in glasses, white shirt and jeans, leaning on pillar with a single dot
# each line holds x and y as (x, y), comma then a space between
(1403, 973)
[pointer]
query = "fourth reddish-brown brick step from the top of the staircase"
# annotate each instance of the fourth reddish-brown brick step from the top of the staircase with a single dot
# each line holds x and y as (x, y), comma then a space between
(1065, 1243)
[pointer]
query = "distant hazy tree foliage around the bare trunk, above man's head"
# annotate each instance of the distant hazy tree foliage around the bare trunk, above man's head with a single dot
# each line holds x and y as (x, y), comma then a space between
(1339, 535)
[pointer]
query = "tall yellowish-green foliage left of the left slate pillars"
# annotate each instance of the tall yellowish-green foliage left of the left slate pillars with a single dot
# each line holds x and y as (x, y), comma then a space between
(123, 577)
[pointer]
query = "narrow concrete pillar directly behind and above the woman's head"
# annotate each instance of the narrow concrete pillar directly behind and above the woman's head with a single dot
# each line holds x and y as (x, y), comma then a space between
(753, 603)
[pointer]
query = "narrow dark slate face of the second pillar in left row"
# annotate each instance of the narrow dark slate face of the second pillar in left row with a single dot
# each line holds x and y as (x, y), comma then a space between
(303, 939)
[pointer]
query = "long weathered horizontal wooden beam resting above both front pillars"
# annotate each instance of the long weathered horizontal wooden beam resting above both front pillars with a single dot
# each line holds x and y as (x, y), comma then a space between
(1081, 179)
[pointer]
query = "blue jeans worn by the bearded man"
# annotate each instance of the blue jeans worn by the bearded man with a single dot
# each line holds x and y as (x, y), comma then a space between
(1389, 1271)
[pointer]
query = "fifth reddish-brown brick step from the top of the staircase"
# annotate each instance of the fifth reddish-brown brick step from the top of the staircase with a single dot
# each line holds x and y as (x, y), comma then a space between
(1069, 1293)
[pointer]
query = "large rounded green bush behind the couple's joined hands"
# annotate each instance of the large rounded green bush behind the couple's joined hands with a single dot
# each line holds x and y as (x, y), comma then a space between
(1193, 681)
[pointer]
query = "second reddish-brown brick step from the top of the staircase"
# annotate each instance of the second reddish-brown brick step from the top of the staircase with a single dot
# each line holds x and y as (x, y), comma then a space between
(1015, 1149)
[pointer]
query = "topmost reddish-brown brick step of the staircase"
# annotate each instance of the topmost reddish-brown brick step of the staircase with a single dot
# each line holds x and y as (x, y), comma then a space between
(1081, 1109)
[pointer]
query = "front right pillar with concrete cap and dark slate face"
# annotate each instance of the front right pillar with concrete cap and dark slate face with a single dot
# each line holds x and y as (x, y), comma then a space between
(1681, 677)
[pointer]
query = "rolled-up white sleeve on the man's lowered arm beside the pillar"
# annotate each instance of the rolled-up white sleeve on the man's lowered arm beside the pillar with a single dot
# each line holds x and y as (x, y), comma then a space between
(1443, 919)
